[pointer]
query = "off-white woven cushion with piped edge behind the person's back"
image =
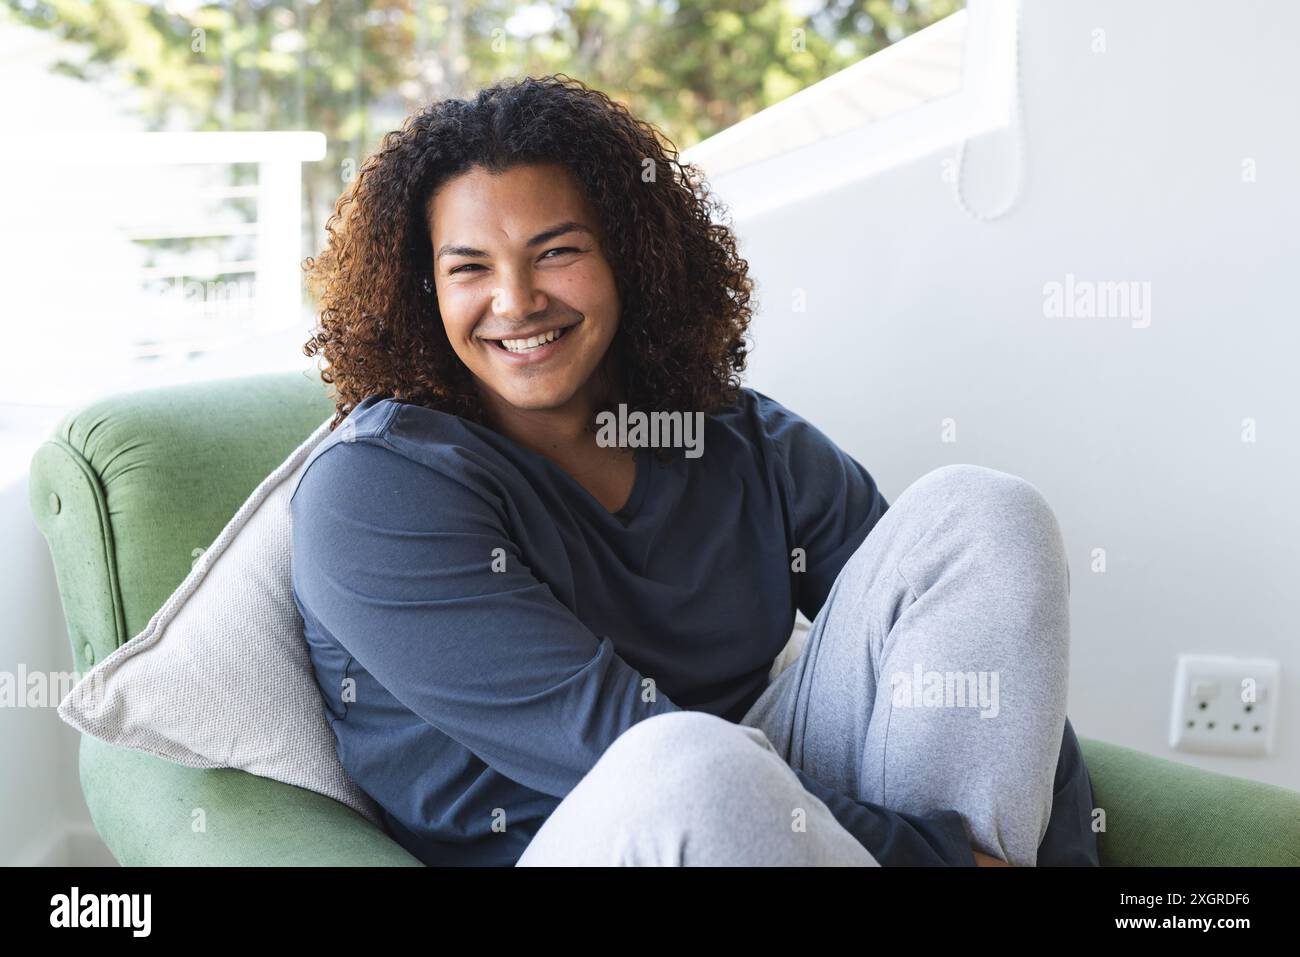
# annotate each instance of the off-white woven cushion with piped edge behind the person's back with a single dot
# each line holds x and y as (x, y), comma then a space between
(222, 677)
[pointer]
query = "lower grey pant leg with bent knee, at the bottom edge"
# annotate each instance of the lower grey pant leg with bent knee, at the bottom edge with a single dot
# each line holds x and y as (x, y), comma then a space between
(690, 789)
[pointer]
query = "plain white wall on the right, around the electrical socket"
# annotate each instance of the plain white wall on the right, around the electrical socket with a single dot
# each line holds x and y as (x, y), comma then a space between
(1134, 171)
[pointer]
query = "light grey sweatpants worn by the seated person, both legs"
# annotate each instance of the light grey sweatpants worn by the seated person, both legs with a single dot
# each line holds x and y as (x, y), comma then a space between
(933, 678)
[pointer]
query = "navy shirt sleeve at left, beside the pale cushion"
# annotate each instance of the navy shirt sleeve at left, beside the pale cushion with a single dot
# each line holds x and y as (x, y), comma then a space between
(414, 574)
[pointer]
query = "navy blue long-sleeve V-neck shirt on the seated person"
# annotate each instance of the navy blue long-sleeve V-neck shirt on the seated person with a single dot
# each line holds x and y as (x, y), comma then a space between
(483, 629)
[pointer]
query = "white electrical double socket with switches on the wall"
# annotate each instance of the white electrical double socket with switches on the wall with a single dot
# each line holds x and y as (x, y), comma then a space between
(1225, 705)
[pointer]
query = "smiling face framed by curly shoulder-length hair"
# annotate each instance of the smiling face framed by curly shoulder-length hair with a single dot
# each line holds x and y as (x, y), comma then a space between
(528, 298)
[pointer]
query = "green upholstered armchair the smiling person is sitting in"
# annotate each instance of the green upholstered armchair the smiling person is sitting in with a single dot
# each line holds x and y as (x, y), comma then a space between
(123, 480)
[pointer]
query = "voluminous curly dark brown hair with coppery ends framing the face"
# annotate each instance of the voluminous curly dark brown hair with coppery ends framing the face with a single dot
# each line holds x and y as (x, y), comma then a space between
(683, 289)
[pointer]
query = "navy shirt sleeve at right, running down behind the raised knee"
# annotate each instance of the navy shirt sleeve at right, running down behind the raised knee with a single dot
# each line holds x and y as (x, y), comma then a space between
(833, 500)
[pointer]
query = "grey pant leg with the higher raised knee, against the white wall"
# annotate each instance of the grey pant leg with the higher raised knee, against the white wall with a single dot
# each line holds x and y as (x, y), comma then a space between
(961, 587)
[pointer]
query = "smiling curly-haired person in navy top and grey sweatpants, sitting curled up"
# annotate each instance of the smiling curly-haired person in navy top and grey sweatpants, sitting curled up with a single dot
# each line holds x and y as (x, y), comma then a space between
(541, 647)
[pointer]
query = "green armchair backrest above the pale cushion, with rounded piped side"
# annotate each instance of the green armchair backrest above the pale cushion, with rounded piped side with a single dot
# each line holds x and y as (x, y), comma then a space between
(131, 486)
